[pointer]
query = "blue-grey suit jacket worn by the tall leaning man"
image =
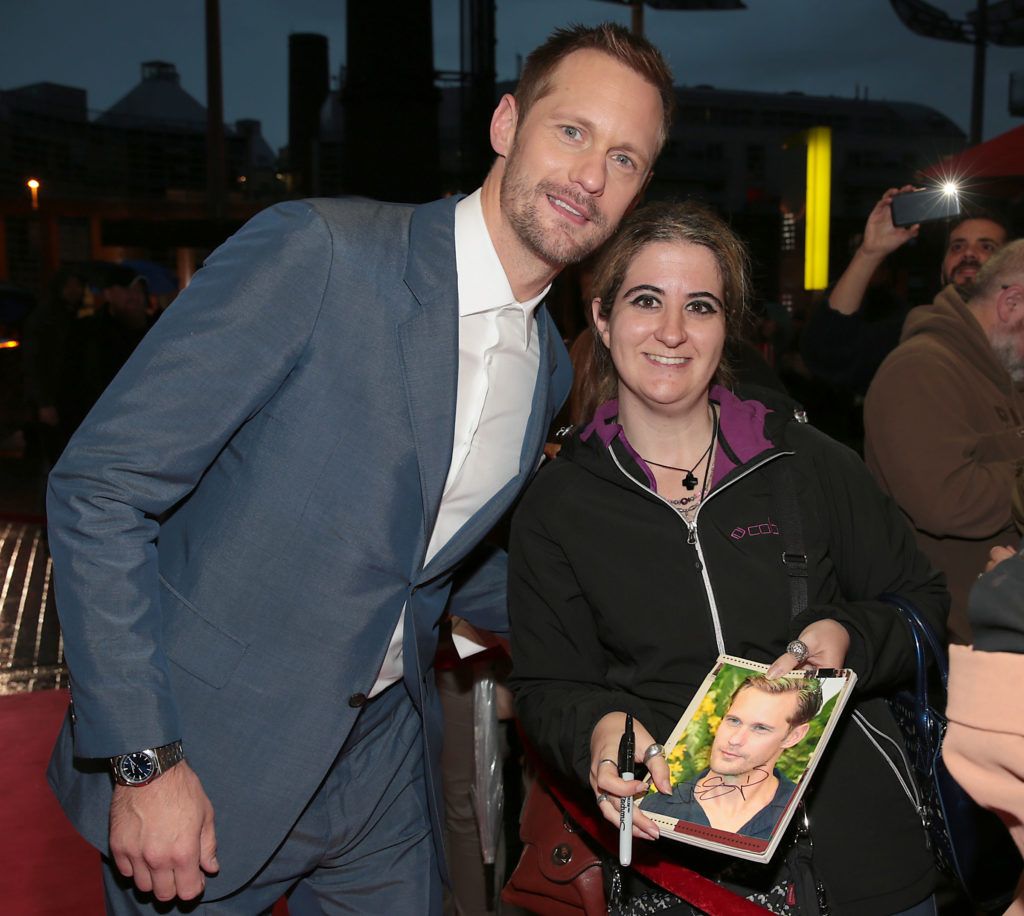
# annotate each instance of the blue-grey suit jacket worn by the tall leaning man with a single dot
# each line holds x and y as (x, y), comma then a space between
(240, 521)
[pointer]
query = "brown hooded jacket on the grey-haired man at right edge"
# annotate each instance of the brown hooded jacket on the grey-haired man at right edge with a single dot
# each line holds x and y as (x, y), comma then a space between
(945, 435)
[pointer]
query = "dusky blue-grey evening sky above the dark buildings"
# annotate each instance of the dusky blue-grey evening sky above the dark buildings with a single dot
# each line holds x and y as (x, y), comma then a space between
(816, 47)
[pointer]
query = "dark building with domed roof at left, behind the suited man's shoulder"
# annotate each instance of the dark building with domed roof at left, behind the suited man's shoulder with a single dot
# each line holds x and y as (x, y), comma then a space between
(126, 183)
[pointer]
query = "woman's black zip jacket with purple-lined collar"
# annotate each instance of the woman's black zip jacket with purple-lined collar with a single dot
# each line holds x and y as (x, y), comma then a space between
(617, 605)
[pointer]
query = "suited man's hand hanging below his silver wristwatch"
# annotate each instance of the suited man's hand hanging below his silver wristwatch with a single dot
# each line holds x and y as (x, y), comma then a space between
(162, 835)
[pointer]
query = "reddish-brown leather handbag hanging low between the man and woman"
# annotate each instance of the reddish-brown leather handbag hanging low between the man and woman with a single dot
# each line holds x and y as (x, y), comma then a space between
(559, 875)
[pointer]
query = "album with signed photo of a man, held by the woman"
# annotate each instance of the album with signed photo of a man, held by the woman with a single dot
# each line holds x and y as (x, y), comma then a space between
(743, 755)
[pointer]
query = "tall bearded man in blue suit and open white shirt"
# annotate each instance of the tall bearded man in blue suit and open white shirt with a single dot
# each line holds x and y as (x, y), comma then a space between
(258, 531)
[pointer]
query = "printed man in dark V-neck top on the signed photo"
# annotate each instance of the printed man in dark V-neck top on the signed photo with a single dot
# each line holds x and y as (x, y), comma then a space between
(743, 791)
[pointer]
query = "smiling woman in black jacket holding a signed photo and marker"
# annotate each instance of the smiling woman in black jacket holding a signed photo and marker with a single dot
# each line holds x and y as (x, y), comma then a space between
(655, 543)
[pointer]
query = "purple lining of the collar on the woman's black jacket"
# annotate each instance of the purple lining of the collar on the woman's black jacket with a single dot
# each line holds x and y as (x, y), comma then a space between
(741, 424)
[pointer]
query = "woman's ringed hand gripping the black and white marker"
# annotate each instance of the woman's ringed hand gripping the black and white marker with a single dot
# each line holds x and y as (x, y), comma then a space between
(605, 771)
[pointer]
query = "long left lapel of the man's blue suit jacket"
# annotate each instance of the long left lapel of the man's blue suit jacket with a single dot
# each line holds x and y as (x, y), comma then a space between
(430, 346)
